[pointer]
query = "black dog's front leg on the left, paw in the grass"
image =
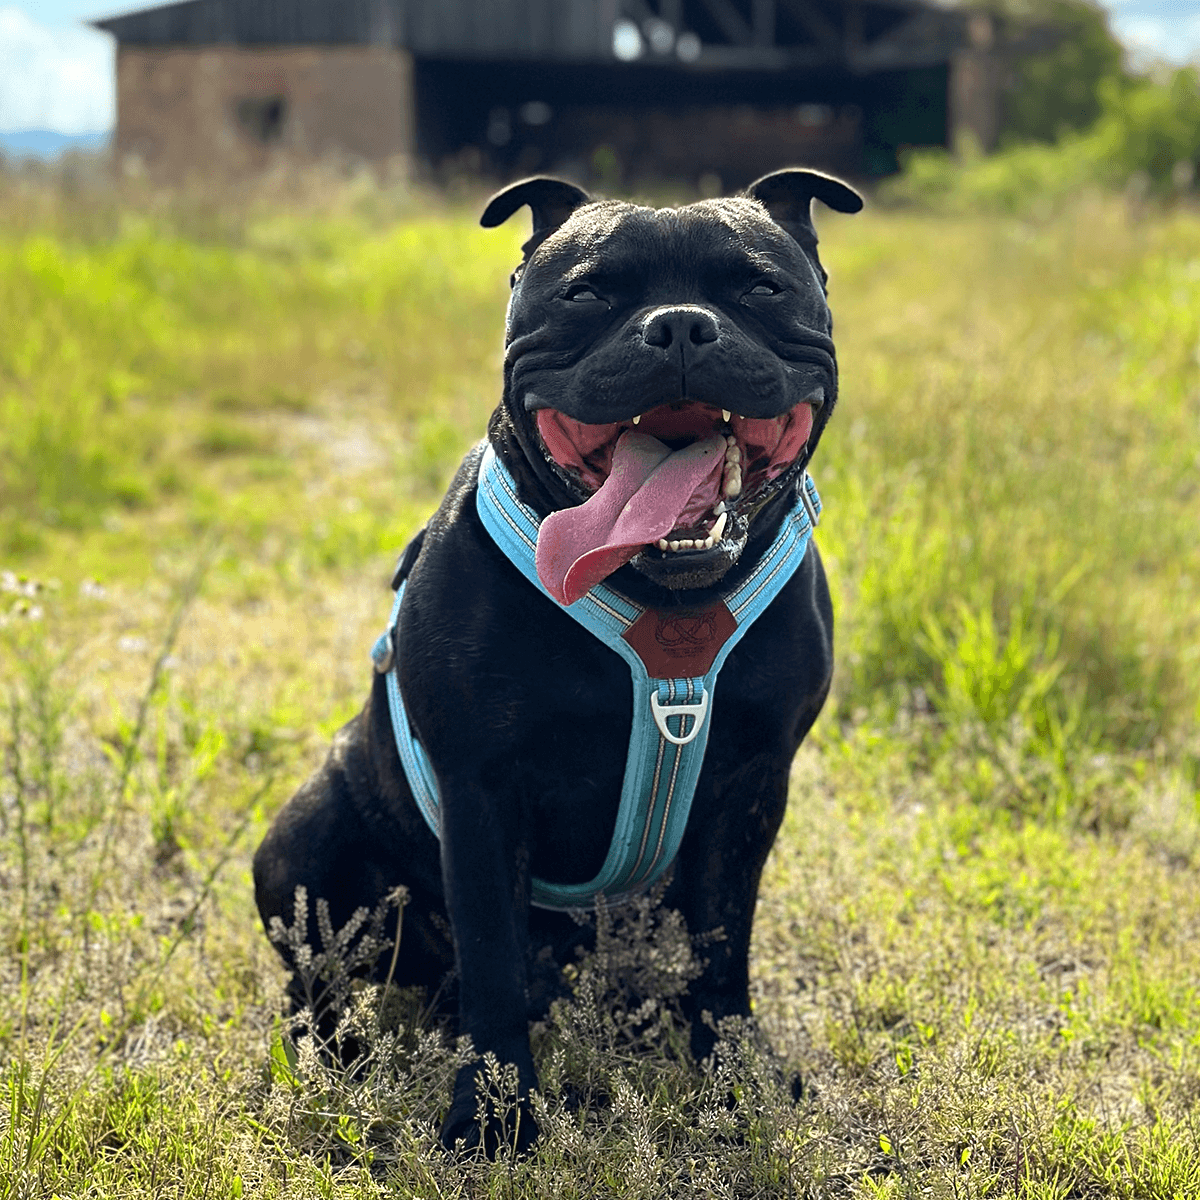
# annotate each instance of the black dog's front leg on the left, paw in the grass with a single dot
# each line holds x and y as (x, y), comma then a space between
(488, 897)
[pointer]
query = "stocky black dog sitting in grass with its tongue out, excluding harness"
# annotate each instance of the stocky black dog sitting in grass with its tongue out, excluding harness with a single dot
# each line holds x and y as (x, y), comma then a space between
(705, 327)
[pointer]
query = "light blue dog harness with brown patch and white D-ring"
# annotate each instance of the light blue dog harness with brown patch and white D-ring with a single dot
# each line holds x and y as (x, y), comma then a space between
(674, 656)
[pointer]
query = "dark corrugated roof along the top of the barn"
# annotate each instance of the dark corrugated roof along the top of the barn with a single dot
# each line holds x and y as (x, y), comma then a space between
(764, 34)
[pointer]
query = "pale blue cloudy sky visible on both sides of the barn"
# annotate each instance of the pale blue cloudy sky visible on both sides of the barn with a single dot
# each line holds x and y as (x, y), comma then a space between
(58, 75)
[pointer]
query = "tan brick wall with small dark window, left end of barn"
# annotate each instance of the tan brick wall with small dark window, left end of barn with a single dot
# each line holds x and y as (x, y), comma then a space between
(227, 112)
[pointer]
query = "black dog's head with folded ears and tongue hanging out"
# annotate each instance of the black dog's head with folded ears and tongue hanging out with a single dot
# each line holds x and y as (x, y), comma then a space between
(668, 373)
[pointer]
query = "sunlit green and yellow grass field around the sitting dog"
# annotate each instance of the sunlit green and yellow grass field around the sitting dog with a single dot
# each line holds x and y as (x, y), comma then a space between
(979, 938)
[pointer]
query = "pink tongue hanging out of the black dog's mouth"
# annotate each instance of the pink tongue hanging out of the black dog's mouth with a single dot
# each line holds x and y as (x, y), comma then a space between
(647, 491)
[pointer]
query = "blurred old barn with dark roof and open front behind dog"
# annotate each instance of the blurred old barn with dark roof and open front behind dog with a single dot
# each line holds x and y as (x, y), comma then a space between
(626, 91)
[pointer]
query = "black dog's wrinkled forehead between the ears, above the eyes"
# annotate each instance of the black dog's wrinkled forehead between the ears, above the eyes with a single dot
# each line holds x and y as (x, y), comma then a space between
(619, 241)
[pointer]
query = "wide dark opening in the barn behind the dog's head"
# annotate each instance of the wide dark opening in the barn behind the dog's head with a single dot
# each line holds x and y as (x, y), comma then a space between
(632, 122)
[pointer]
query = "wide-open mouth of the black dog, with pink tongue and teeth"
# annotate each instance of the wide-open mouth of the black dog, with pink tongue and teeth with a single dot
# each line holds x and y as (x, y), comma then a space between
(674, 482)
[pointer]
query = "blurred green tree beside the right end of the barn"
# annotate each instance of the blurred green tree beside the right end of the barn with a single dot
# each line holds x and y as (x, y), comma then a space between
(1057, 91)
